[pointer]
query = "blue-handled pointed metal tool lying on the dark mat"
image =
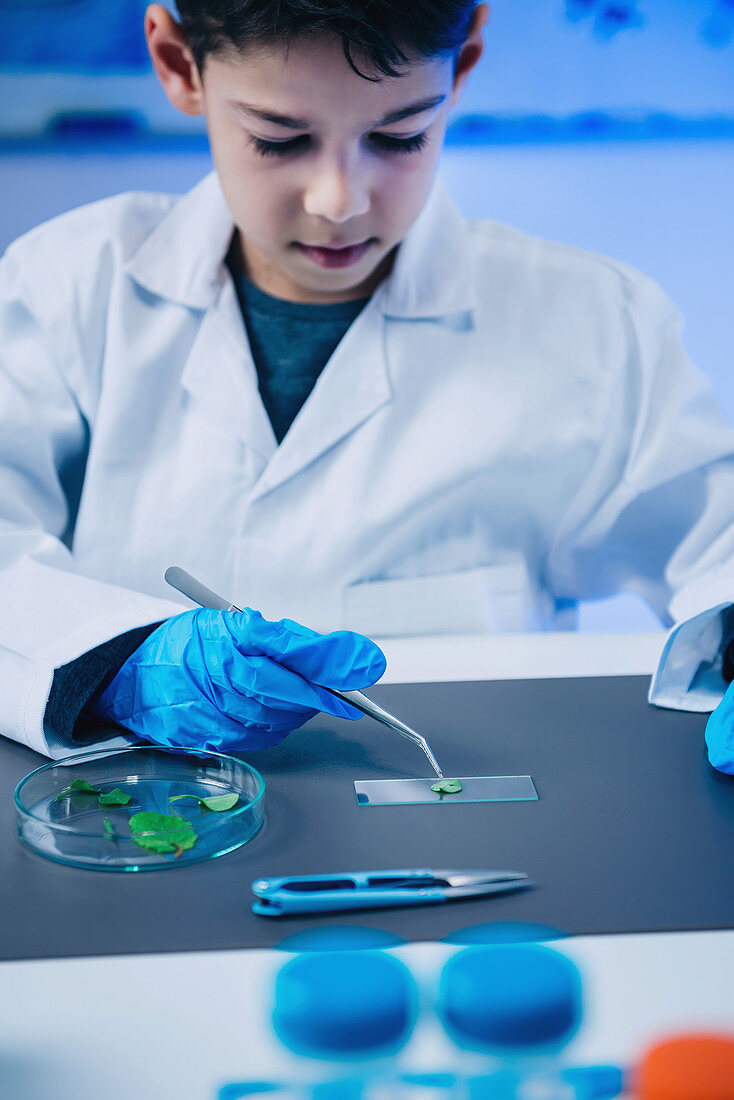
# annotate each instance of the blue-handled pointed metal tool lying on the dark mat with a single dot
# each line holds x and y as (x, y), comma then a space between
(335, 894)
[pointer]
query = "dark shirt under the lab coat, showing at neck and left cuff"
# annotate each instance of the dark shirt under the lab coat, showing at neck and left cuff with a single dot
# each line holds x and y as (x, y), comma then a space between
(291, 344)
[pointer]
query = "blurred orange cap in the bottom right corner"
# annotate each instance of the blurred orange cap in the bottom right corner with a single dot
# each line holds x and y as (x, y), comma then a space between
(688, 1068)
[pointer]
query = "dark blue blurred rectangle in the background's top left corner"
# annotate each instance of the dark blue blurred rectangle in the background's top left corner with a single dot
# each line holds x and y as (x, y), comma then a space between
(73, 36)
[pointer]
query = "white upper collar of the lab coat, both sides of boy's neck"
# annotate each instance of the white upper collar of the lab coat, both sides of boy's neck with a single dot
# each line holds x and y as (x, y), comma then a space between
(183, 260)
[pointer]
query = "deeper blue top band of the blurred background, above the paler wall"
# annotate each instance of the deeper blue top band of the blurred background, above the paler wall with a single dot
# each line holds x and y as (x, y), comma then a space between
(553, 58)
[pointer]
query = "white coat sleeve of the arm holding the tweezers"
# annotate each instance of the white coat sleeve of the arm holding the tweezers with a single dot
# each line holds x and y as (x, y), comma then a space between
(50, 614)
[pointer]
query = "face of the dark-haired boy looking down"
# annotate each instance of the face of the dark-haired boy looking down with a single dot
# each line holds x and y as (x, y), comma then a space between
(337, 174)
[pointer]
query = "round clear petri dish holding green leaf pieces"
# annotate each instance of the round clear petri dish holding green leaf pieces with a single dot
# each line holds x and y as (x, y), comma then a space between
(75, 830)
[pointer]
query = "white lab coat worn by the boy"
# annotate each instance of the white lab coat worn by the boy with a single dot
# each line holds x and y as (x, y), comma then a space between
(510, 426)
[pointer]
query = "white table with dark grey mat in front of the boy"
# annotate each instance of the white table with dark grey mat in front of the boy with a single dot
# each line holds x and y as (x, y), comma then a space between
(159, 985)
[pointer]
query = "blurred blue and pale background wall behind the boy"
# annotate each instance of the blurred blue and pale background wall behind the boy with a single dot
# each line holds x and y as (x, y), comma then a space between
(606, 125)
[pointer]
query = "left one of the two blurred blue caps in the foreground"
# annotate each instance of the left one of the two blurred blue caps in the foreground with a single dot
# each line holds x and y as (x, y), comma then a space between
(345, 1005)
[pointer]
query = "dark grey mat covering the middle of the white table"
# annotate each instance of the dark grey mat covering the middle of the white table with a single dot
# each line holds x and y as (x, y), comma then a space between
(633, 830)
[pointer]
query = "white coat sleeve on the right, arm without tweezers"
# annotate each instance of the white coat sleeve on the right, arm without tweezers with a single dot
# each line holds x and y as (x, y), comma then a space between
(655, 515)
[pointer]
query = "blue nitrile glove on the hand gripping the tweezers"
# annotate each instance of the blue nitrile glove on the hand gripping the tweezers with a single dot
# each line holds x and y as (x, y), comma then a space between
(233, 680)
